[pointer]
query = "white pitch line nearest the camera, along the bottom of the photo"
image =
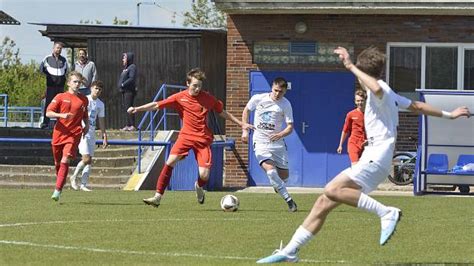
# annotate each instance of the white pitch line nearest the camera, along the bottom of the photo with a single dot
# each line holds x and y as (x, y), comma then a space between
(132, 252)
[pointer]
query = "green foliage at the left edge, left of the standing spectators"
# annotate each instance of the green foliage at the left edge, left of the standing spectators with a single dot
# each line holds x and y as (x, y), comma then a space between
(24, 83)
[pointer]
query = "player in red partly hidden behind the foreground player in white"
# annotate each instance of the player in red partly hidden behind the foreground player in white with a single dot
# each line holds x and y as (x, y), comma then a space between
(354, 126)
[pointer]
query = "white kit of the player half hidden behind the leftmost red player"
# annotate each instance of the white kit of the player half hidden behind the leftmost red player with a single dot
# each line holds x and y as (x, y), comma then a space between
(96, 108)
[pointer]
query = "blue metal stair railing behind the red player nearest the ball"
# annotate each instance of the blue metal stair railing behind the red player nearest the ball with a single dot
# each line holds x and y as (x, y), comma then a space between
(150, 117)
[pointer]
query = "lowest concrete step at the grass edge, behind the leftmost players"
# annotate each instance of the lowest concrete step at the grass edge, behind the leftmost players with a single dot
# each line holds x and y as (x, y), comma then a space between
(45, 178)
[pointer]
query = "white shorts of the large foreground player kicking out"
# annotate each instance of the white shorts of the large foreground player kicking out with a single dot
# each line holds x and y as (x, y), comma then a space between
(368, 175)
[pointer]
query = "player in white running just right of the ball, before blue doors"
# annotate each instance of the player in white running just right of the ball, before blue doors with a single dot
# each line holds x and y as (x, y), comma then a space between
(272, 111)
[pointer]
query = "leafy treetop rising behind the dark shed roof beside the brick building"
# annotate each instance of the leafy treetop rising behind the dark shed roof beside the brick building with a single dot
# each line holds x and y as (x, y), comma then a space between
(205, 14)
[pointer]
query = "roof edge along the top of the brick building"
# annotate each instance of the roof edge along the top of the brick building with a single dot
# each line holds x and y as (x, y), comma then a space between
(361, 7)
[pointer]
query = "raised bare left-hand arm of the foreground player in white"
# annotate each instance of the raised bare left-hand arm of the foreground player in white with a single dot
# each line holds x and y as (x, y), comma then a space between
(367, 81)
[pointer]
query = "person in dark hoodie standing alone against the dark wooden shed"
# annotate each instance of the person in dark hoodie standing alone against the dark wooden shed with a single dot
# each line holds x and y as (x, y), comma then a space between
(127, 86)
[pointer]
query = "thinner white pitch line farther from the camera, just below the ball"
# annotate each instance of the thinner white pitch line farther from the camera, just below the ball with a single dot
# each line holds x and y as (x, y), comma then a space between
(134, 220)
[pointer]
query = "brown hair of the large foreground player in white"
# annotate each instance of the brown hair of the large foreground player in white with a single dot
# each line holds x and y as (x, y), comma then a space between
(371, 61)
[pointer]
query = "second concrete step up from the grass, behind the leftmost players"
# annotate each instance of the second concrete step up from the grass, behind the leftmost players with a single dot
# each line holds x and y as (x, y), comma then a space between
(50, 170)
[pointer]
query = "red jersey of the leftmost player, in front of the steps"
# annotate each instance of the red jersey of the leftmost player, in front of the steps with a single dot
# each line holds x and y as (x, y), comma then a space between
(68, 130)
